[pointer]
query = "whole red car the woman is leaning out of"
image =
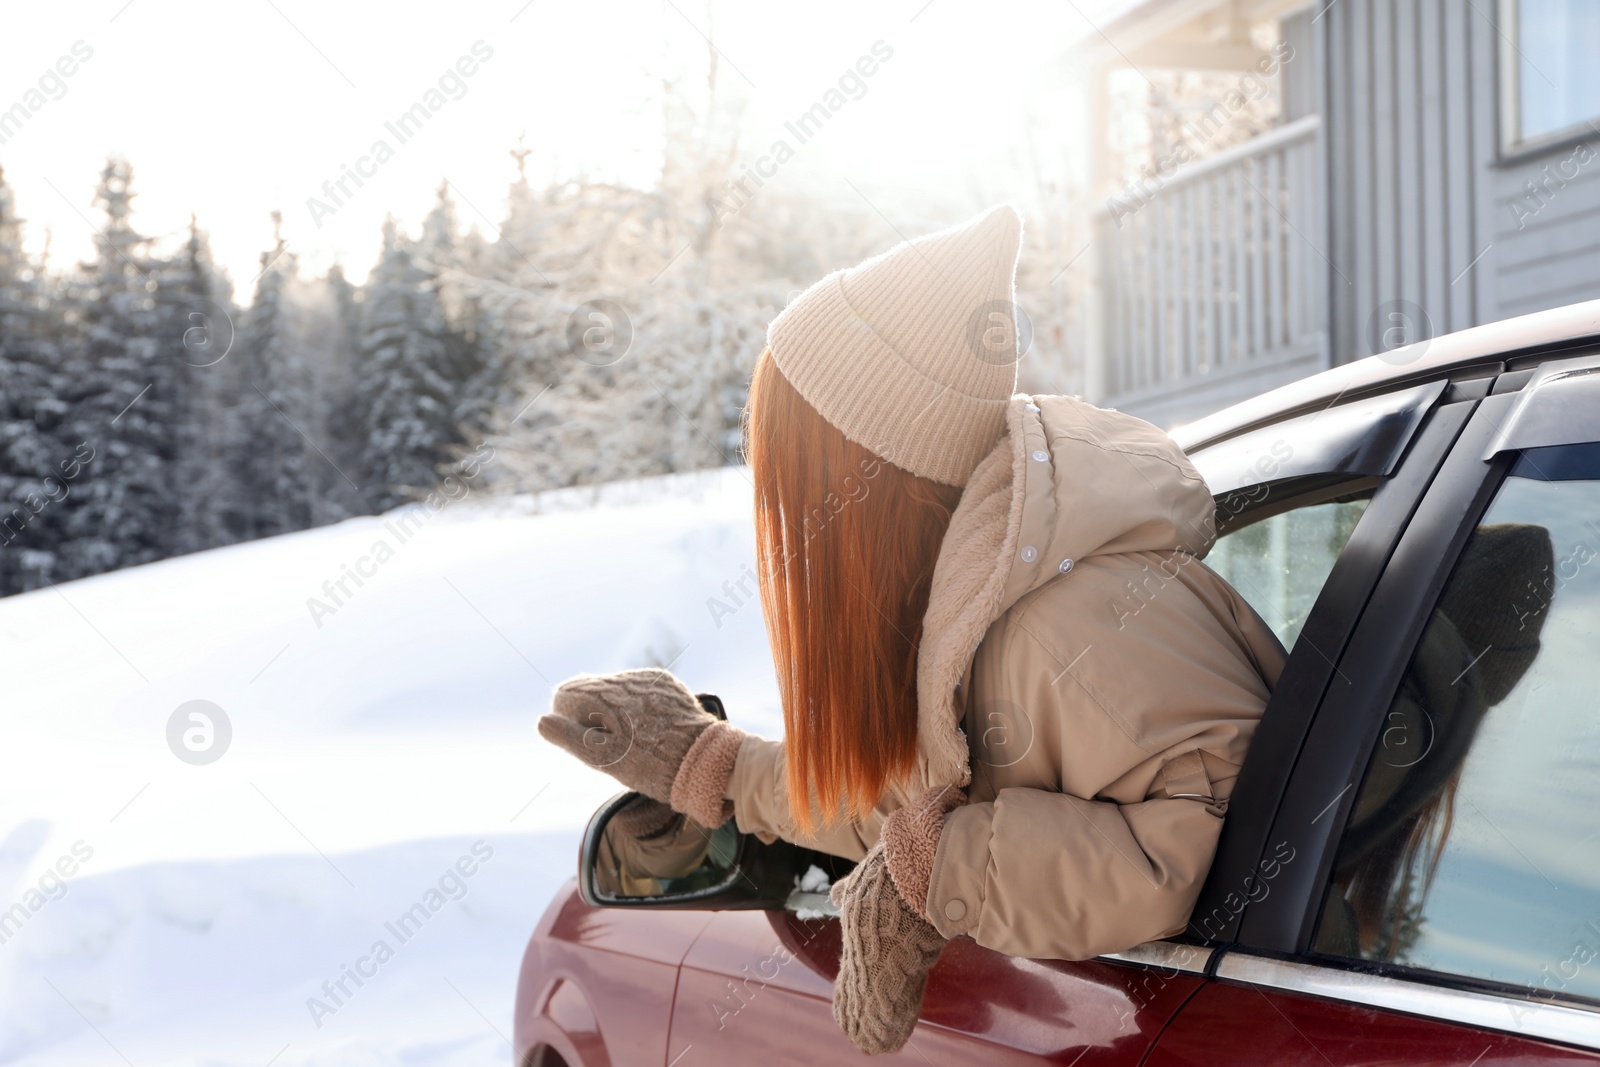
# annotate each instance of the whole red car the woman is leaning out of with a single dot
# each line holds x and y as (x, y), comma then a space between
(1410, 871)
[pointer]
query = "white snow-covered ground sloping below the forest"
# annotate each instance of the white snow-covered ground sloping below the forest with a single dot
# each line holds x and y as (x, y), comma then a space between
(207, 905)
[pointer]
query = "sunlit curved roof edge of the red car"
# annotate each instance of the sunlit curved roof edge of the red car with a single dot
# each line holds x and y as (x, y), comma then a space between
(1438, 358)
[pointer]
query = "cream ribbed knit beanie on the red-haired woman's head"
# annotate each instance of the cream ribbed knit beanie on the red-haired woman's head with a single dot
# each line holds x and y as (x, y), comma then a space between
(913, 354)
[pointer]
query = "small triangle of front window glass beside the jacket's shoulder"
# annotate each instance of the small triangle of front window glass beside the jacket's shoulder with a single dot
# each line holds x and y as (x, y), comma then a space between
(1281, 564)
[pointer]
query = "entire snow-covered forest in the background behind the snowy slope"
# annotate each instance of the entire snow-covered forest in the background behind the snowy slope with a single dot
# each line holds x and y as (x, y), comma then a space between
(153, 407)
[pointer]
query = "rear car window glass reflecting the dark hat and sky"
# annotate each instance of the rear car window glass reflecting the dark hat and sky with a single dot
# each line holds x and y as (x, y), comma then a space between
(1474, 844)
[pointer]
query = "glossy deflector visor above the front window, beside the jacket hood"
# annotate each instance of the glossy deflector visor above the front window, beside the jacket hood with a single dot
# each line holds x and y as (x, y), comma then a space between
(1366, 438)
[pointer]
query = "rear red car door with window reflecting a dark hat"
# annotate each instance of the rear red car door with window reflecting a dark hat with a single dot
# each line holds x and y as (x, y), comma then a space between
(1444, 810)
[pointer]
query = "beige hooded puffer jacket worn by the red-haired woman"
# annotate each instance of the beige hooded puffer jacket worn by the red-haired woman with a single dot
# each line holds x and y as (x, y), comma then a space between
(1089, 681)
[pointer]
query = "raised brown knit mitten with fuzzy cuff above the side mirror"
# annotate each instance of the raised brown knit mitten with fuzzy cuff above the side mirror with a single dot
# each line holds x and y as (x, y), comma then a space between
(642, 729)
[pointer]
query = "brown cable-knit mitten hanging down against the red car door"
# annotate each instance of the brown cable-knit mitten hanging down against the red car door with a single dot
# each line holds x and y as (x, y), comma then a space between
(884, 962)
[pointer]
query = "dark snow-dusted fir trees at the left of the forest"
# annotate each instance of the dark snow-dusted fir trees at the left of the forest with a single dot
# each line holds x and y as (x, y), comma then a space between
(145, 414)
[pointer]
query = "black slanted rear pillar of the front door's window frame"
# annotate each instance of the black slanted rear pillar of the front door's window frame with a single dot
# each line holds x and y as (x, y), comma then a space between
(1249, 833)
